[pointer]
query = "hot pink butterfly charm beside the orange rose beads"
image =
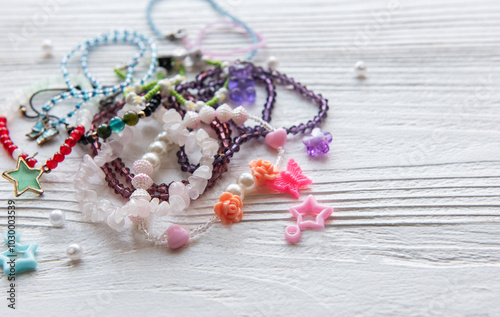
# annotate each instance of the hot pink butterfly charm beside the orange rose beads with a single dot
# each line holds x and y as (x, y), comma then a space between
(290, 180)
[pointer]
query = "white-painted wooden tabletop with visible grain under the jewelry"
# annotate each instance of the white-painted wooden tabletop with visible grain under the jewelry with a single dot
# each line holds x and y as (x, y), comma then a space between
(413, 173)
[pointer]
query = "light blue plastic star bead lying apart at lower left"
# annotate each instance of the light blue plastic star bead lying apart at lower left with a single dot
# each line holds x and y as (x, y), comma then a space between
(19, 258)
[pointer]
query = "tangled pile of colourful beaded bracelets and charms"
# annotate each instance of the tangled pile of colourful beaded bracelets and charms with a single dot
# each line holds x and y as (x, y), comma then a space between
(206, 121)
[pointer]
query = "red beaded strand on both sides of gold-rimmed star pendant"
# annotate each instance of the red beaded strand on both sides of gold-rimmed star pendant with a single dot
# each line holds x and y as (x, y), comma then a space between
(51, 163)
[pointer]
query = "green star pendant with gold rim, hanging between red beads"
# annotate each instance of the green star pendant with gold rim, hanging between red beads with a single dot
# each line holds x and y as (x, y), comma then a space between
(24, 178)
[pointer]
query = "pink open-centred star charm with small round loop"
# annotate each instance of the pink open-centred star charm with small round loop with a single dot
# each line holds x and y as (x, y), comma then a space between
(309, 207)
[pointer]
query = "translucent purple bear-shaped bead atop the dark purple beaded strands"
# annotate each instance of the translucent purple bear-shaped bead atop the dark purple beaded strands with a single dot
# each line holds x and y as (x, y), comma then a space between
(241, 84)
